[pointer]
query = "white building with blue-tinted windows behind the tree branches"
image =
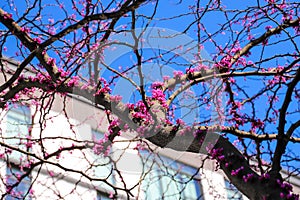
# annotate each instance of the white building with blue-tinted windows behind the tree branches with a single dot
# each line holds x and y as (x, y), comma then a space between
(81, 174)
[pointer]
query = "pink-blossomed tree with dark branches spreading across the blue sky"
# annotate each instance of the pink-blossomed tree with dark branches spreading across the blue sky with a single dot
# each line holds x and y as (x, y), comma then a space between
(239, 103)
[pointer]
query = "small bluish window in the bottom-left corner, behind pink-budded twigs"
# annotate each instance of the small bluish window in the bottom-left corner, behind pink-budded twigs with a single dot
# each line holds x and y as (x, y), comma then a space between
(21, 190)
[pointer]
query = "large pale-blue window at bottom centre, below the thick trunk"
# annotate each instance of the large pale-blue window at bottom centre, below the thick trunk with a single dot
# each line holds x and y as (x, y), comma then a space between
(169, 179)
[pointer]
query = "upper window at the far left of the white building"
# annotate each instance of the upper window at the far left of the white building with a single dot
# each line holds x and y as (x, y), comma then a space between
(17, 129)
